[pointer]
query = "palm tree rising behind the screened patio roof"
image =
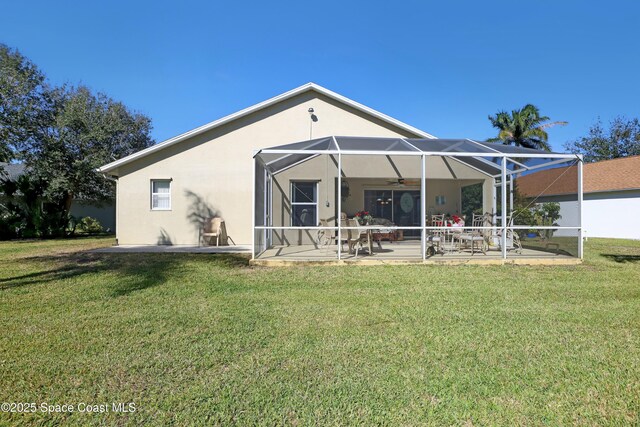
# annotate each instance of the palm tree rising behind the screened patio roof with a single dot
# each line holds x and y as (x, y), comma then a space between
(523, 128)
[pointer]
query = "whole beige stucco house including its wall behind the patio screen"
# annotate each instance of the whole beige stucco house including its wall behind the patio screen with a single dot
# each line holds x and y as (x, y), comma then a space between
(245, 169)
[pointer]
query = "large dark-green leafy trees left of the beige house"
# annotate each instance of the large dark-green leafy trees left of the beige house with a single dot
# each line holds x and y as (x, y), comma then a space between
(61, 134)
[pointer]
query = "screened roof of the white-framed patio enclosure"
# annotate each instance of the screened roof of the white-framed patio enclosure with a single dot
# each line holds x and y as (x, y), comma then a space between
(481, 156)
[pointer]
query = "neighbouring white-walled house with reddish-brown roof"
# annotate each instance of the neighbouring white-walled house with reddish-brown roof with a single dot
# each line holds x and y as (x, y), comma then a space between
(611, 204)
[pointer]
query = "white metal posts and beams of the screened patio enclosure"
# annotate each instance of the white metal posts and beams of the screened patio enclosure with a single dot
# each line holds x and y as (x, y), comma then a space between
(489, 159)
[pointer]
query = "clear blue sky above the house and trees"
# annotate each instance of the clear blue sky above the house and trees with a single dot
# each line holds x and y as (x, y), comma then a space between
(440, 66)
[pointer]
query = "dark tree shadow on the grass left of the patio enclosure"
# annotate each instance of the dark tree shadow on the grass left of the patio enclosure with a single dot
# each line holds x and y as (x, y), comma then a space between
(132, 272)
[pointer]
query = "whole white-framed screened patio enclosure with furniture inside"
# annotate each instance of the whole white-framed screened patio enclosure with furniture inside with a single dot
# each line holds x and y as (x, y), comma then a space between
(400, 199)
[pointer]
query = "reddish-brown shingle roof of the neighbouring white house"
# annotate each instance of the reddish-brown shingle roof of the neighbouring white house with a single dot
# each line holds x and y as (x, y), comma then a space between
(607, 175)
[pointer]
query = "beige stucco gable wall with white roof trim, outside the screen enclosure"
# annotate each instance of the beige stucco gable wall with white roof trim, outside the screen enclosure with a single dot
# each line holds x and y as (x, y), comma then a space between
(210, 168)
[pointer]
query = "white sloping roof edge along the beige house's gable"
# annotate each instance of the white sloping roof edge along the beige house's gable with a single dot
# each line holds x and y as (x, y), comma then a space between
(297, 91)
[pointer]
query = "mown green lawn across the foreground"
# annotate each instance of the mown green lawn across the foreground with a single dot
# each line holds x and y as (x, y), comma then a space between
(205, 339)
